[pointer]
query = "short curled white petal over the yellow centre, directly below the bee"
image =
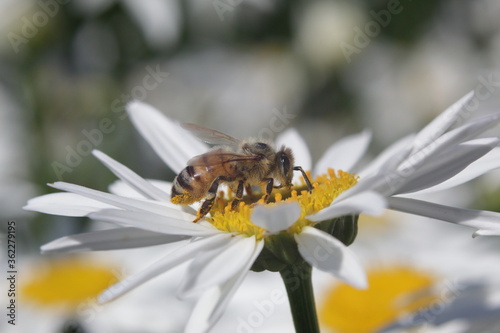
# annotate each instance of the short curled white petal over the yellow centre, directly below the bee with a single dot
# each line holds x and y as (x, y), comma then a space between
(276, 218)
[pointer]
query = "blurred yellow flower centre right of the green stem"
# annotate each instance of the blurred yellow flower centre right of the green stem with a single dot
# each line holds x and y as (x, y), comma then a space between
(392, 292)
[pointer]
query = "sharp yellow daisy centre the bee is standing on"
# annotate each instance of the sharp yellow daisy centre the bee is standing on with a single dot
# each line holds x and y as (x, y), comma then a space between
(325, 189)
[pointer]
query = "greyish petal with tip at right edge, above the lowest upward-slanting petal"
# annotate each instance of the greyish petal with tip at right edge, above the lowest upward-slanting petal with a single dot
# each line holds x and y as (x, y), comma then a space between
(446, 165)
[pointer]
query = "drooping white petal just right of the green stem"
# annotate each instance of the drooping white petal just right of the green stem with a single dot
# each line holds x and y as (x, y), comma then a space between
(329, 254)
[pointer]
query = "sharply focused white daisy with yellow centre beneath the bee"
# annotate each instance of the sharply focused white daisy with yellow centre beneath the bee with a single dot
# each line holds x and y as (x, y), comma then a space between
(280, 236)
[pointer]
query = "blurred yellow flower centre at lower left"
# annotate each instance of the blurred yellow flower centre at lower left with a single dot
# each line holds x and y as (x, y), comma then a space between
(67, 282)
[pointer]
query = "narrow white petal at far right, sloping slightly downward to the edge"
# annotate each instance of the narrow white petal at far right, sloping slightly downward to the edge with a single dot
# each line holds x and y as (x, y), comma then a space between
(487, 223)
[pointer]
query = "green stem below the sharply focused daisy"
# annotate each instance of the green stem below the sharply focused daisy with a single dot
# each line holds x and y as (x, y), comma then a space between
(297, 279)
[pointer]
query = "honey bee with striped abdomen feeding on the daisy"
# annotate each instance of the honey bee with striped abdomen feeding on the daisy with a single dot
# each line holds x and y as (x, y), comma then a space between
(239, 164)
